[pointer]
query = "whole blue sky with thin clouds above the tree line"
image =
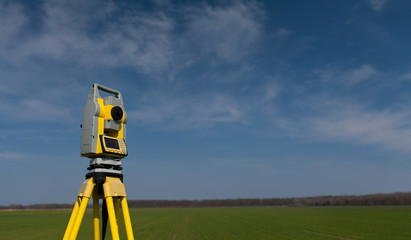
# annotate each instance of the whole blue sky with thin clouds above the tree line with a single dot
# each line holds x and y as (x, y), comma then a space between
(225, 99)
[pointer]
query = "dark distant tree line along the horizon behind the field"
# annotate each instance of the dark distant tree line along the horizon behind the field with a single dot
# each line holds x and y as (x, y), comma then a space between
(392, 199)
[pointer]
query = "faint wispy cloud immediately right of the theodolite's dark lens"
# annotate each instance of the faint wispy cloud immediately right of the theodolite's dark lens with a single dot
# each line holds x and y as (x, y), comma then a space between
(203, 110)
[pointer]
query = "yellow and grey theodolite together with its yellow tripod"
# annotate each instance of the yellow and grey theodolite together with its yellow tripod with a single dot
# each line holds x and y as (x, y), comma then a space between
(103, 140)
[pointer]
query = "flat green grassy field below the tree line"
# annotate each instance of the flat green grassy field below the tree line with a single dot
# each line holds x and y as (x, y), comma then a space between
(225, 223)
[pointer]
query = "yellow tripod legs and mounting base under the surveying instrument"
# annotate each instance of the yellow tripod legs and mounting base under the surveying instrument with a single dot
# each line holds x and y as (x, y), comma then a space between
(102, 183)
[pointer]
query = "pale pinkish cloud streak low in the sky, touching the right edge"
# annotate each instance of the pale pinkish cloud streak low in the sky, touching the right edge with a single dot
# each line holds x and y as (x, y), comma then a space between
(388, 128)
